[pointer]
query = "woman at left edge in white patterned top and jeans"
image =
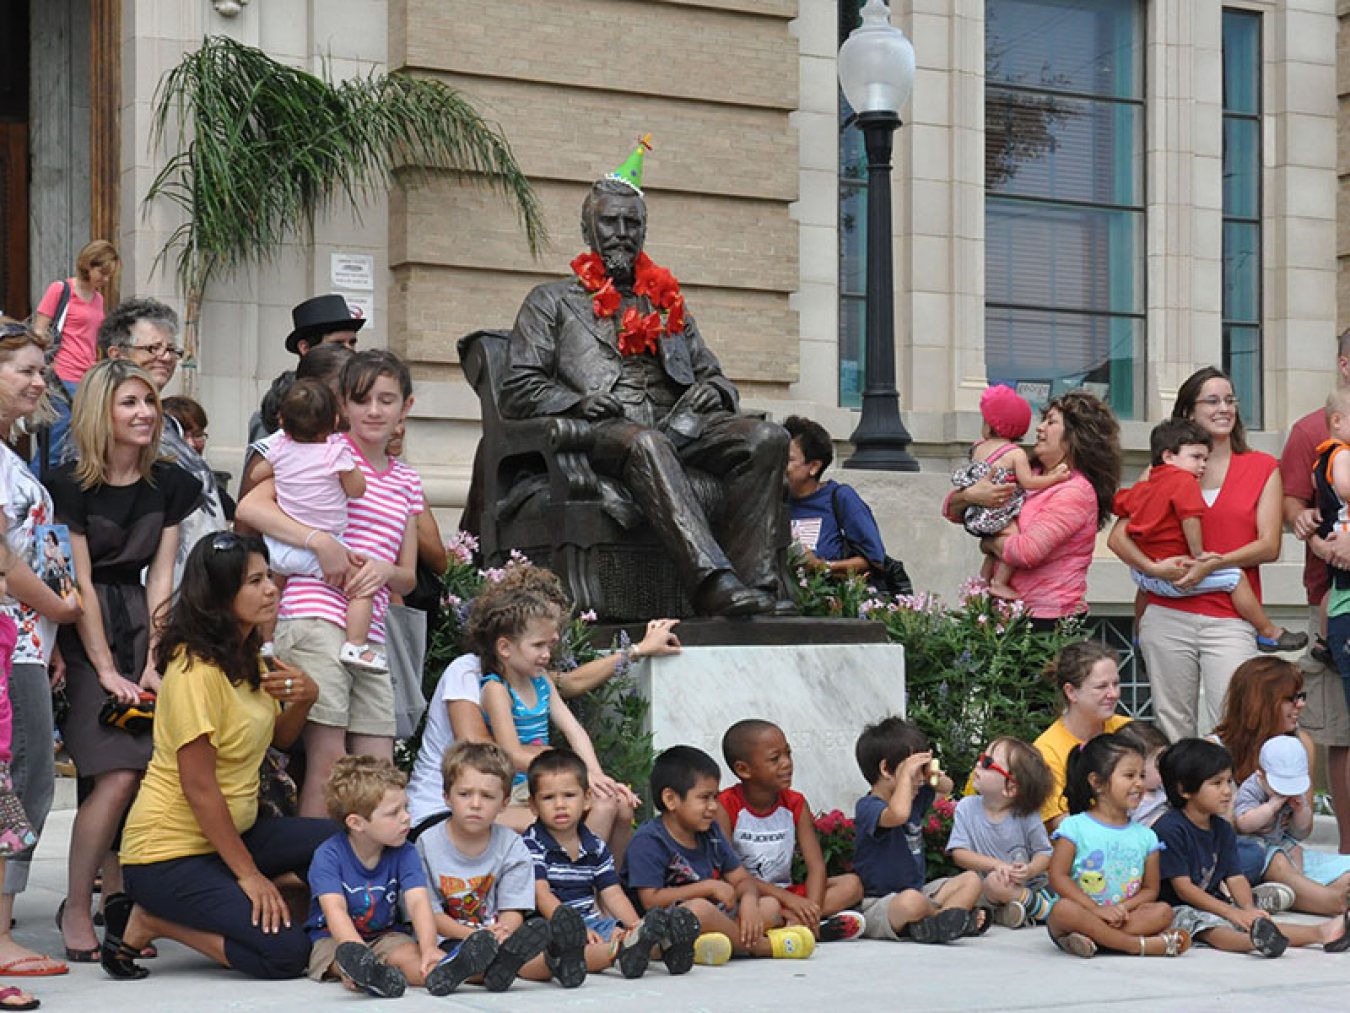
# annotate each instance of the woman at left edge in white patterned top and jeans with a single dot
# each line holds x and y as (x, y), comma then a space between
(26, 514)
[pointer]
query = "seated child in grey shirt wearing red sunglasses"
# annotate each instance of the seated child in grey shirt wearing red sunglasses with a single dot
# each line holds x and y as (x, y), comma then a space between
(998, 833)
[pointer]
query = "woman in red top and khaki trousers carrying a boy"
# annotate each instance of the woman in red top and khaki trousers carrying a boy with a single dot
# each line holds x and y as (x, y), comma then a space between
(1201, 640)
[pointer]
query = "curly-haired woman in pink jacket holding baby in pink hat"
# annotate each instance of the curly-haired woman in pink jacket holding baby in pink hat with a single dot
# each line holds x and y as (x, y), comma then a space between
(1058, 526)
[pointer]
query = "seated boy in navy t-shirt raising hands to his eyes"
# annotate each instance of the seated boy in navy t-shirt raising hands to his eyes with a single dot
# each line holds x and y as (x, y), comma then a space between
(897, 761)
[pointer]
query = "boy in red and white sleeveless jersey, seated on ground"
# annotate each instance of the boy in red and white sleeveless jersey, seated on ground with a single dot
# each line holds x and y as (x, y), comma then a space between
(766, 822)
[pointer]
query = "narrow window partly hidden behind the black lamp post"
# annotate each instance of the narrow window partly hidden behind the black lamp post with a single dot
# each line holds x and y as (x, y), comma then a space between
(853, 229)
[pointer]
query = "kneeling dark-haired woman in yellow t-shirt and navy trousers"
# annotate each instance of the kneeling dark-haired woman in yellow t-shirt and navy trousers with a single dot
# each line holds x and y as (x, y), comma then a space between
(199, 862)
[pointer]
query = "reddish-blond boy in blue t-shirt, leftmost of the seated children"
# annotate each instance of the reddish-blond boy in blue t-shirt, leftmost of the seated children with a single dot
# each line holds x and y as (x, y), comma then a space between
(357, 880)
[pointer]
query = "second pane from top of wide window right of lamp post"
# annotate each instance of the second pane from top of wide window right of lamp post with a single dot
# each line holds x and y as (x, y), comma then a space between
(1050, 147)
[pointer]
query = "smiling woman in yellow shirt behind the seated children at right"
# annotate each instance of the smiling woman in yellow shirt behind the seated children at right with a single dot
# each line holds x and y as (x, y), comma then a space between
(1087, 679)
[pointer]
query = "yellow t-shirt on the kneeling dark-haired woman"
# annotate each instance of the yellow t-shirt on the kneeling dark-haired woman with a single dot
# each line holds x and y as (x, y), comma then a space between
(198, 700)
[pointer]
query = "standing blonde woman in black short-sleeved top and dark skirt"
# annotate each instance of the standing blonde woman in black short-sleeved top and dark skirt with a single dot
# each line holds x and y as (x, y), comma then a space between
(124, 507)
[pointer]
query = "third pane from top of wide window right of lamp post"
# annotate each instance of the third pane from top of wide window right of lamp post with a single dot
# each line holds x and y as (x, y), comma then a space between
(1070, 257)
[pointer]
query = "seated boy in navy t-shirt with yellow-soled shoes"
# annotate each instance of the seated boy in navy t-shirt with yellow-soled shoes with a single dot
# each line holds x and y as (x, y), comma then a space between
(681, 858)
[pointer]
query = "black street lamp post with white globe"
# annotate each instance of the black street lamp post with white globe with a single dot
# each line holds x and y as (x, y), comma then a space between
(877, 72)
